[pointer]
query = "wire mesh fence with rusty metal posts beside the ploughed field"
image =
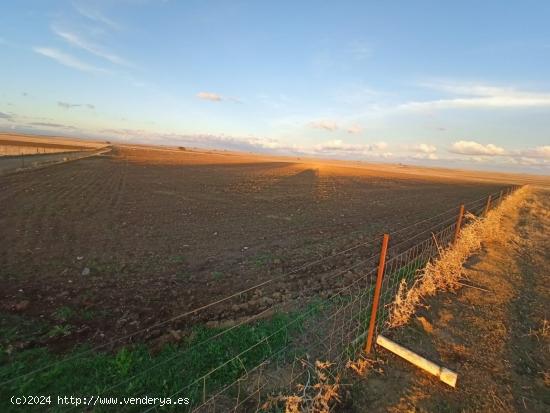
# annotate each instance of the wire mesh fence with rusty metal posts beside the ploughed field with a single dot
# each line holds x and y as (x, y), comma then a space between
(235, 367)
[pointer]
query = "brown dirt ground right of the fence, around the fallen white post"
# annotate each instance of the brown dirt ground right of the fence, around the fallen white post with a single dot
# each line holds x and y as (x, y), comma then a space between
(496, 339)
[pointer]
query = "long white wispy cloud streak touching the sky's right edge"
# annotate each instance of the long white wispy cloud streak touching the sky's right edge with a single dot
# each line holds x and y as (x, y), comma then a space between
(478, 96)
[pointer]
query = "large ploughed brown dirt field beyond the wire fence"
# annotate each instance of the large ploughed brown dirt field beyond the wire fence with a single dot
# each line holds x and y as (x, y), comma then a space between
(119, 242)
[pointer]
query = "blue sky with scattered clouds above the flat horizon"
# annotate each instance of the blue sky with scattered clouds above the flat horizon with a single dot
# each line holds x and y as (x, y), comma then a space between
(457, 84)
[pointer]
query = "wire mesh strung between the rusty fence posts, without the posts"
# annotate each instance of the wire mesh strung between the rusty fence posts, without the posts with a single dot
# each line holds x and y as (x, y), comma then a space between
(332, 327)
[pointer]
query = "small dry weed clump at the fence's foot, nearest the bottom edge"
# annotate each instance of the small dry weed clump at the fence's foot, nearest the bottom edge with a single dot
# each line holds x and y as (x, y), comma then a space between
(317, 397)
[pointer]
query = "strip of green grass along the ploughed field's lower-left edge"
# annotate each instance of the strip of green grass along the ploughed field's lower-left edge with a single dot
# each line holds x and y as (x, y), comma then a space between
(173, 369)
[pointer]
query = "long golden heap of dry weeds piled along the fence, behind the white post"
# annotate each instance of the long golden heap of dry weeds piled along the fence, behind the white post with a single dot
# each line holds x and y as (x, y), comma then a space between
(444, 273)
